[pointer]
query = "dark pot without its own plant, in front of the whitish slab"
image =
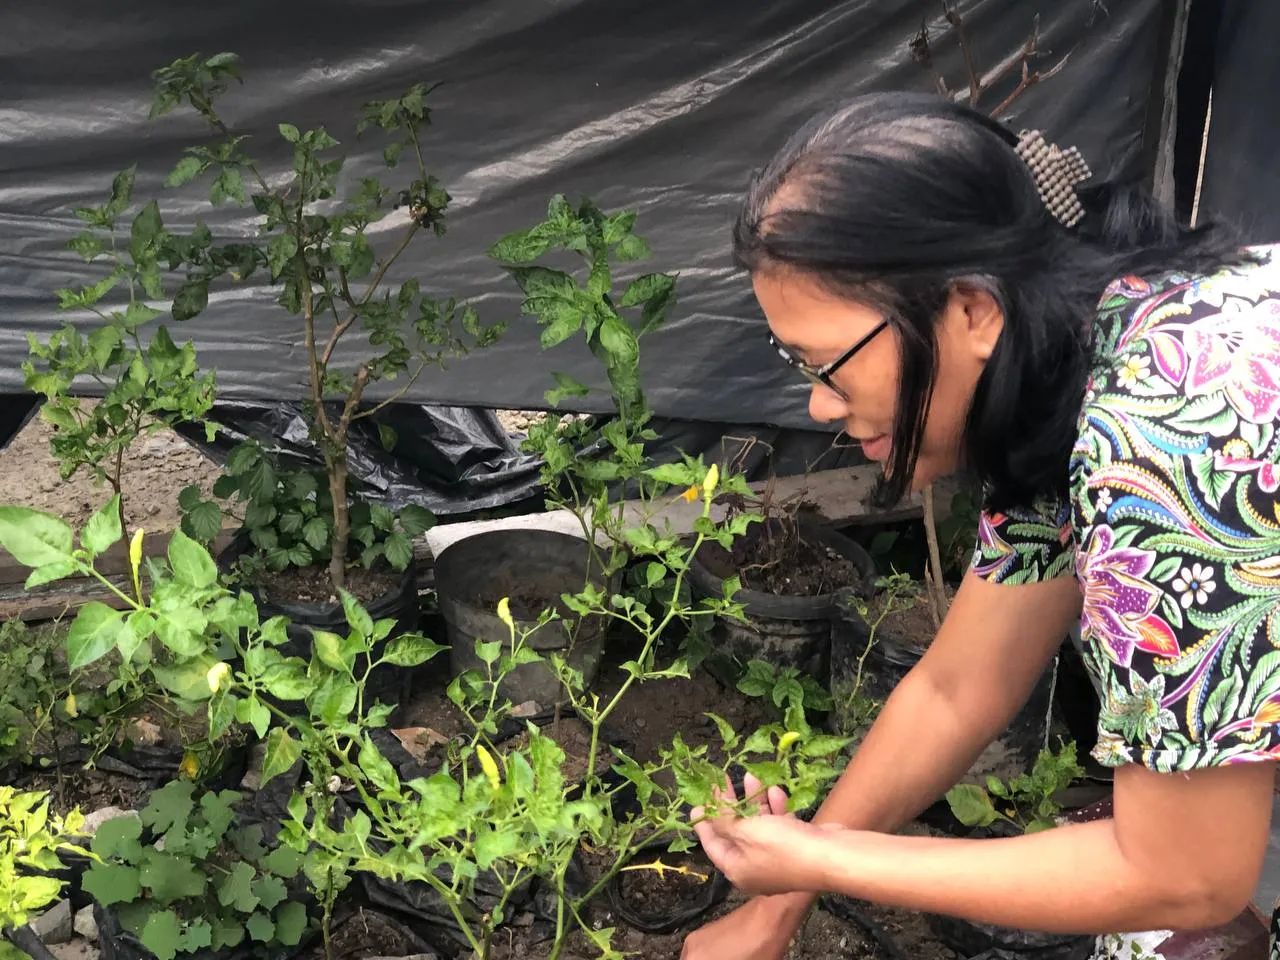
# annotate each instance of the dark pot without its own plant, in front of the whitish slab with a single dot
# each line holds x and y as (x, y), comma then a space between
(537, 566)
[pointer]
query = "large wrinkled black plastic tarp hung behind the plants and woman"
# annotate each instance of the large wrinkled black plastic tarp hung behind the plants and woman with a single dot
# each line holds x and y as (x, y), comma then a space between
(639, 106)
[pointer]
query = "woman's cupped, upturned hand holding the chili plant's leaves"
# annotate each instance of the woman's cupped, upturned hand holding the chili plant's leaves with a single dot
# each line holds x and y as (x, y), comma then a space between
(771, 853)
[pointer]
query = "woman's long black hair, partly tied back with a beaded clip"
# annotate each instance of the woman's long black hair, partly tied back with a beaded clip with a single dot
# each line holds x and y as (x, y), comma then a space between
(895, 199)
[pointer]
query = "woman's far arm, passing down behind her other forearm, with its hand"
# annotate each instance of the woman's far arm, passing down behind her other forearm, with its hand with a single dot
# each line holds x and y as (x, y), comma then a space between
(979, 673)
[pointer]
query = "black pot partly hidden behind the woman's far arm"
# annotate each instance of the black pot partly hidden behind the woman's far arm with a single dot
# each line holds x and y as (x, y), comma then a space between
(893, 657)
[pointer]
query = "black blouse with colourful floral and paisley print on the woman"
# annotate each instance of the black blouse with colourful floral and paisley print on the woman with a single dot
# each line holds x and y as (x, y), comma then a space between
(1173, 527)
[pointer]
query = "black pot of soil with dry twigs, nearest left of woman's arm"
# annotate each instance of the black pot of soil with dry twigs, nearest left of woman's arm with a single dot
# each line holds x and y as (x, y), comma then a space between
(785, 632)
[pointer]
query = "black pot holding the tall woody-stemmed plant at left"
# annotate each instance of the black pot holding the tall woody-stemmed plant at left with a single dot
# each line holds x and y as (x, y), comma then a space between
(388, 684)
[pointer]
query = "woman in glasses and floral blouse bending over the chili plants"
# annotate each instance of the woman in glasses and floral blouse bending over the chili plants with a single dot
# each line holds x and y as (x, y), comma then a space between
(1114, 381)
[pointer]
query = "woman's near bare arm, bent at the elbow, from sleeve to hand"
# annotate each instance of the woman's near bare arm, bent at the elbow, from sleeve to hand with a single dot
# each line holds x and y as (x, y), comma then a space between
(1183, 852)
